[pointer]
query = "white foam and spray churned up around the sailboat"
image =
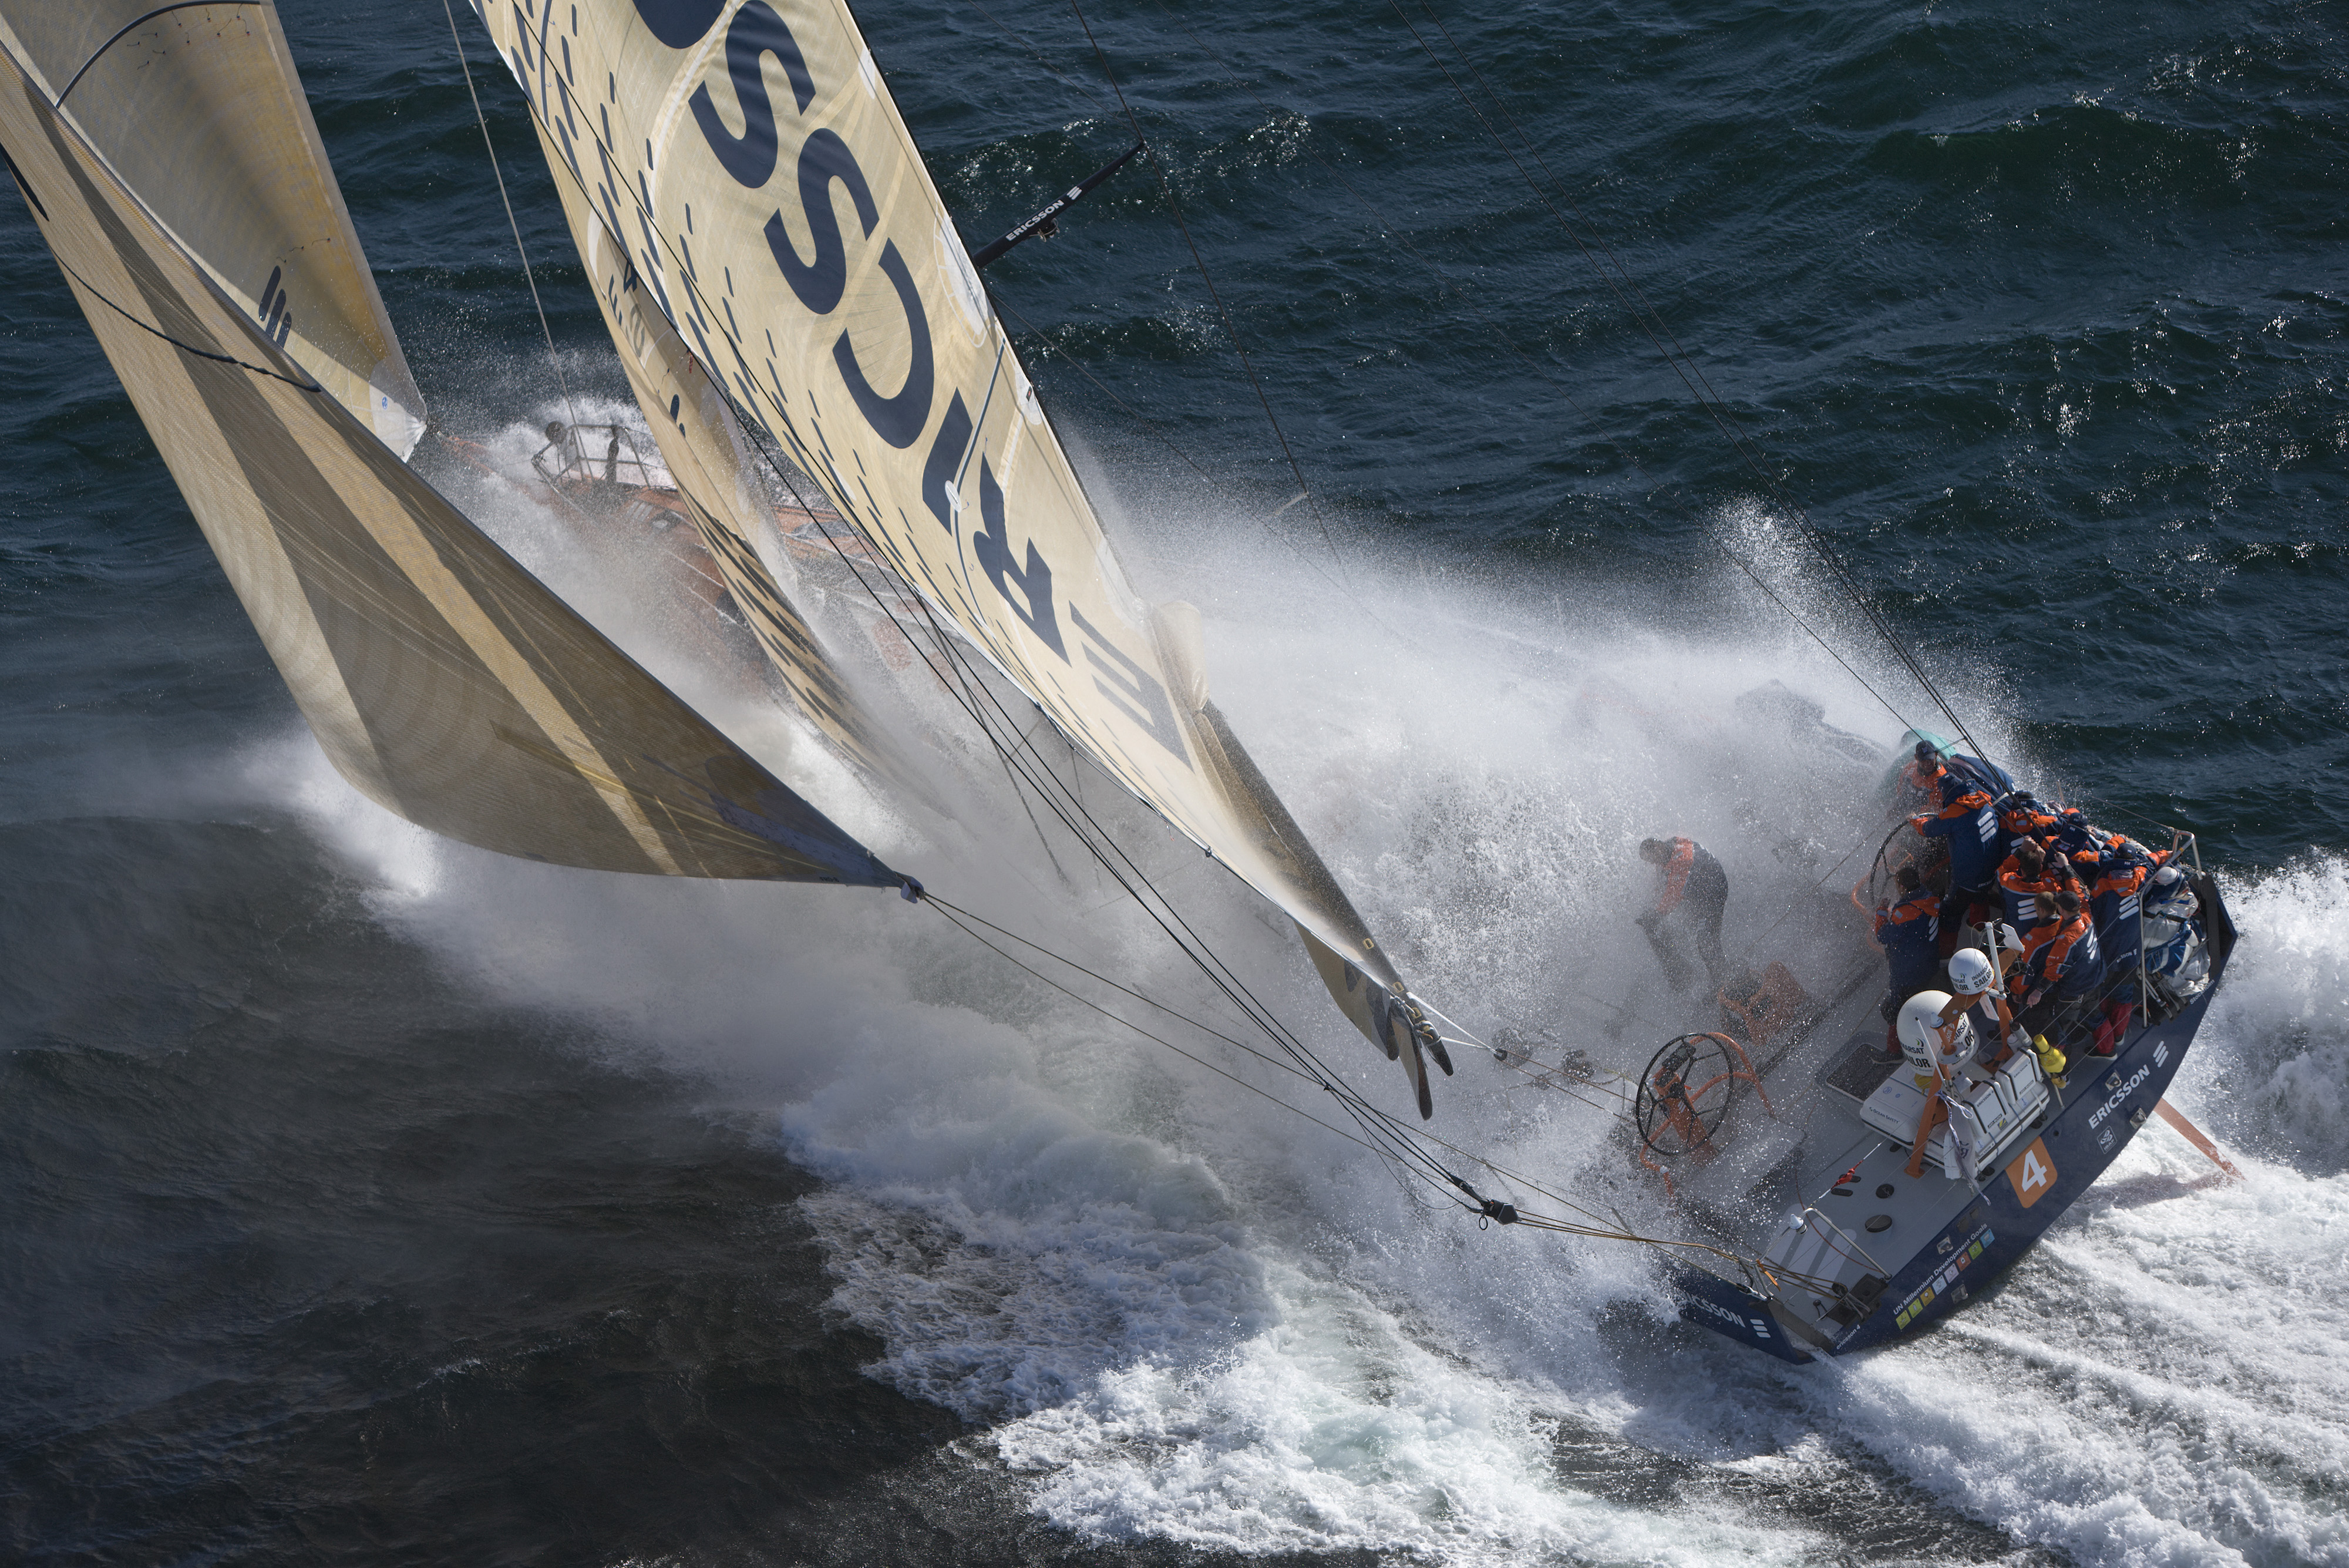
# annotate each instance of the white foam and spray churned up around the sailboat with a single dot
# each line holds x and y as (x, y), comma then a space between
(1173, 1311)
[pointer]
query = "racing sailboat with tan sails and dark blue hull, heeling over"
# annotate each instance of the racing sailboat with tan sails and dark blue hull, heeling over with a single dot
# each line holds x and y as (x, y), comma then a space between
(828, 388)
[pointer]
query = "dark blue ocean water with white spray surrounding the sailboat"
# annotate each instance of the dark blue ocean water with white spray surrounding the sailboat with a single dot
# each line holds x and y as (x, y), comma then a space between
(372, 1201)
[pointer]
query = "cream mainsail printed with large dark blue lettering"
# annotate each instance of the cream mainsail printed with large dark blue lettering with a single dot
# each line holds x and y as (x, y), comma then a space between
(758, 175)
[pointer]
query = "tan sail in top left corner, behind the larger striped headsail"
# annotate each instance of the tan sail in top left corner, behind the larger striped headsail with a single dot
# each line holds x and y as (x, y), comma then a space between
(198, 111)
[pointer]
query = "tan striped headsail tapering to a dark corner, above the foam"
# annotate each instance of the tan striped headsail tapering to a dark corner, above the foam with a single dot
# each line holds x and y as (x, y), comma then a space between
(440, 677)
